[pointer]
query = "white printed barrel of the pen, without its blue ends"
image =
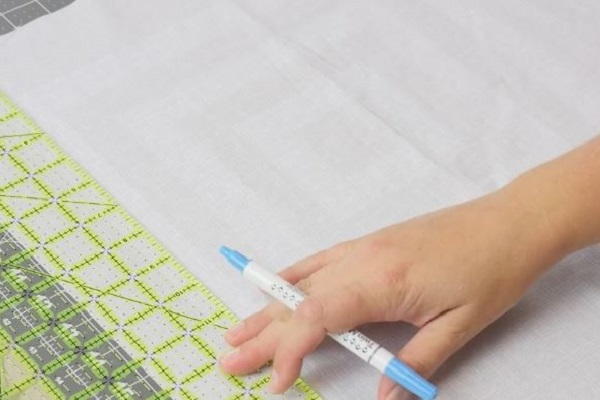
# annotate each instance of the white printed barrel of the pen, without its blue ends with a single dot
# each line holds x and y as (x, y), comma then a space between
(291, 296)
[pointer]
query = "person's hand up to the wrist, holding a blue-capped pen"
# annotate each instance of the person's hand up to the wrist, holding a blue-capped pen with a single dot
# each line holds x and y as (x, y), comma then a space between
(450, 273)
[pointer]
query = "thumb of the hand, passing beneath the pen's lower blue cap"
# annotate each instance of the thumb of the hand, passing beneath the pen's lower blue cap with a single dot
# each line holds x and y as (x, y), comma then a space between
(431, 346)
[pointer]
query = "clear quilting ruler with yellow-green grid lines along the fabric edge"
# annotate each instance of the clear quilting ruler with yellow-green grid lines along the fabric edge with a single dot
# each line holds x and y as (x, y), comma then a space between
(91, 305)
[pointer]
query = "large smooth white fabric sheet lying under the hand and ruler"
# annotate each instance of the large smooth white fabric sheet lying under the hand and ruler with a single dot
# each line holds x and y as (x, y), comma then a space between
(281, 127)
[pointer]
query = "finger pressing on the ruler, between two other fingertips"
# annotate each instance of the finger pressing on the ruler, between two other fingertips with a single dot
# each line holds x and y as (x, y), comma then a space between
(253, 354)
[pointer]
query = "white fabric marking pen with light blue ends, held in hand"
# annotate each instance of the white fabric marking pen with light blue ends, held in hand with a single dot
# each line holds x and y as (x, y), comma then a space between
(353, 340)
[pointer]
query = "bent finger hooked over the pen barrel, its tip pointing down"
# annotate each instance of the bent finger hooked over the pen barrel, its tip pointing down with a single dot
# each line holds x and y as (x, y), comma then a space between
(303, 334)
